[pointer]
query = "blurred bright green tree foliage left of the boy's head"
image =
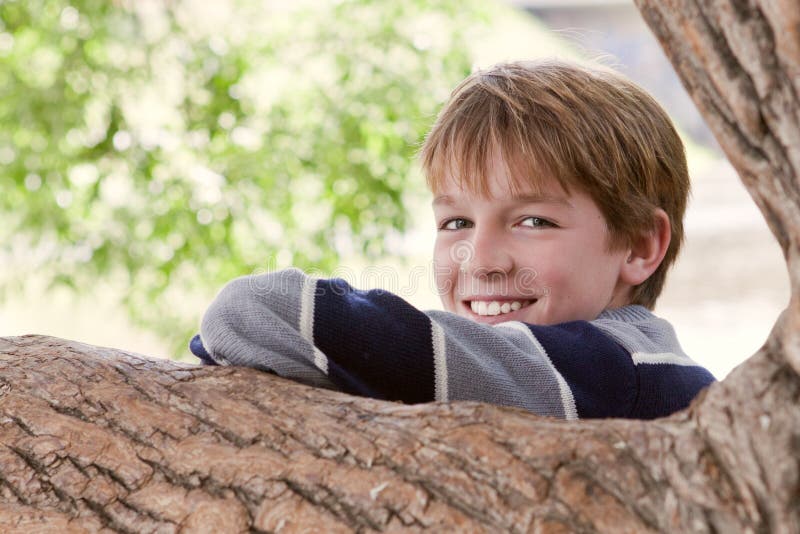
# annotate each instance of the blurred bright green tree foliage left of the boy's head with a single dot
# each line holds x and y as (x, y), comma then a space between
(184, 143)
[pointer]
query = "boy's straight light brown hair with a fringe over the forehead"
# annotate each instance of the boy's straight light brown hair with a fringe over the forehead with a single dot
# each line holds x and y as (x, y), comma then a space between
(589, 128)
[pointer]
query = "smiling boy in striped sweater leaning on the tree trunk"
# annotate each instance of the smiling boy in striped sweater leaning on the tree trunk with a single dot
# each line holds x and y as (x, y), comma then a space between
(559, 194)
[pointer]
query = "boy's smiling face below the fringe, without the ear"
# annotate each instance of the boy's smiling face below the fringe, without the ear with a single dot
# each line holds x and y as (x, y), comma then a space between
(540, 259)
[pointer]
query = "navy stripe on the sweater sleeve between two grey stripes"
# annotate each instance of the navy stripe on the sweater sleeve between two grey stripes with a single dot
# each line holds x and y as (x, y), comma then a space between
(377, 344)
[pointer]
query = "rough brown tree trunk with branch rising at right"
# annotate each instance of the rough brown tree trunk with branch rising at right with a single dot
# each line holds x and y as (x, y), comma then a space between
(97, 438)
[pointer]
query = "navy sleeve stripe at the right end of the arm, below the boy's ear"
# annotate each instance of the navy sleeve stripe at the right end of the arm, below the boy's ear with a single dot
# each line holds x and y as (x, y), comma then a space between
(599, 372)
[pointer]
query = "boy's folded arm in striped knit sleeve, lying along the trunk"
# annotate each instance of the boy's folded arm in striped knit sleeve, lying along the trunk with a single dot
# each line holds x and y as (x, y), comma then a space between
(373, 343)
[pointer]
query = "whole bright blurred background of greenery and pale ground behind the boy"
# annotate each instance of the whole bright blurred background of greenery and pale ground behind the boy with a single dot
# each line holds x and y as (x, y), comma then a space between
(151, 150)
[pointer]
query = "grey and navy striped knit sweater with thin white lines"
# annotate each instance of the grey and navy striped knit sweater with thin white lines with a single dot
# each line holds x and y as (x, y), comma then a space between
(323, 332)
